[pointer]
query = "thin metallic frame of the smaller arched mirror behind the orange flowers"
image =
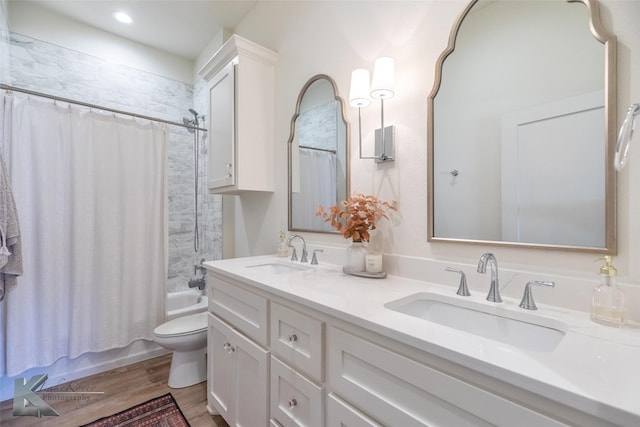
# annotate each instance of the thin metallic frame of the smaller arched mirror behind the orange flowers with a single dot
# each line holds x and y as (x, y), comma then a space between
(290, 143)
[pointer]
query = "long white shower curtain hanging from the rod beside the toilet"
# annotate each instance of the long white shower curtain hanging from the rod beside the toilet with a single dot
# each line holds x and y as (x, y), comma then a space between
(90, 190)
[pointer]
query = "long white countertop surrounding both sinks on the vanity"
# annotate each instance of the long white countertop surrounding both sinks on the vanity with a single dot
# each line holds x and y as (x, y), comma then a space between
(594, 368)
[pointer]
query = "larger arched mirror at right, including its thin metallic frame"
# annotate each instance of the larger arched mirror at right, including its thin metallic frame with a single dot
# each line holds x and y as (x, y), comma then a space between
(522, 128)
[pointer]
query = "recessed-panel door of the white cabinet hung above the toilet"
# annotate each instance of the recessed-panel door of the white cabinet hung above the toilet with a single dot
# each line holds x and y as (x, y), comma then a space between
(221, 151)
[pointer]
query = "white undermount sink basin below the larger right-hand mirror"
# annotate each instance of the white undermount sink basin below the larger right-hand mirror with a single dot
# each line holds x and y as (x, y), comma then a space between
(514, 327)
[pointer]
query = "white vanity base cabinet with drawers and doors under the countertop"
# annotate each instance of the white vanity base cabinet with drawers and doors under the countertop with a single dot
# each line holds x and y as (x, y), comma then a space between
(303, 366)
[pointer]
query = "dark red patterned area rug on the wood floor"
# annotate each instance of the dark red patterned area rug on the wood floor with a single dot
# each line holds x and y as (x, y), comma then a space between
(162, 411)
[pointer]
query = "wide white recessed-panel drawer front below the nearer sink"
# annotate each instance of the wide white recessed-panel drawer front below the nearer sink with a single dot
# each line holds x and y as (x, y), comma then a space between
(400, 391)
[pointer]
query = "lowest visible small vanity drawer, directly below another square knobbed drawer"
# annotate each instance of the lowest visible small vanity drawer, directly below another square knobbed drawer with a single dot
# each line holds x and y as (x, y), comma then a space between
(295, 400)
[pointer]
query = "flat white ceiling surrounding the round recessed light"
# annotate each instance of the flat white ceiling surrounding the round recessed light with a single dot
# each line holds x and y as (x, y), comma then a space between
(179, 27)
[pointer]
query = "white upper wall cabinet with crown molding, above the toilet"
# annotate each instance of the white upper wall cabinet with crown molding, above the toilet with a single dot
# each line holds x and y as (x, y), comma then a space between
(240, 81)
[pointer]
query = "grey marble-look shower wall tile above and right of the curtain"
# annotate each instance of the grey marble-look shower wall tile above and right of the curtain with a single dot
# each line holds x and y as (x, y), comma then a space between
(47, 68)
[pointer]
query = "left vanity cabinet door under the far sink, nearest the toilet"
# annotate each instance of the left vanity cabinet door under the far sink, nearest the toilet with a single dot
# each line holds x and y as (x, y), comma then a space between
(220, 363)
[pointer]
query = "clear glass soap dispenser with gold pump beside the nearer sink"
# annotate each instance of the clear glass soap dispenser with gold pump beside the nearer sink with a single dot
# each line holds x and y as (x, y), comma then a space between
(607, 304)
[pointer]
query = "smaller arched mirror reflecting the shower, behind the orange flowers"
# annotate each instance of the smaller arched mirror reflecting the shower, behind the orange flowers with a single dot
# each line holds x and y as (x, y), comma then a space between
(318, 154)
